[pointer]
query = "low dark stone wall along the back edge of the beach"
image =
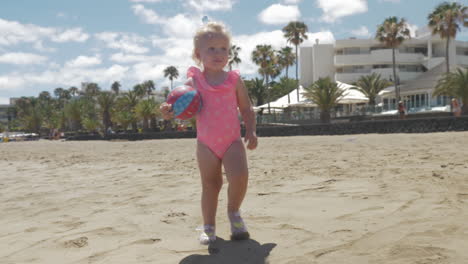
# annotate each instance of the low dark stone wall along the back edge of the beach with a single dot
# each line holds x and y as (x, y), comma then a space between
(414, 125)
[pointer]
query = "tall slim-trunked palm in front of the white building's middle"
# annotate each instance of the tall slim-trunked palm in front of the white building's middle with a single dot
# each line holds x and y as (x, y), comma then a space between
(392, 32)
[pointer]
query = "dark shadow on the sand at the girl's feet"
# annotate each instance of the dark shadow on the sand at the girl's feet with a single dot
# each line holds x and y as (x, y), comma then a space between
(232, 252)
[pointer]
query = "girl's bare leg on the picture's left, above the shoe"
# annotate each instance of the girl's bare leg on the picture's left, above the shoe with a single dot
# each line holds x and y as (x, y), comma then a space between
(212, 181)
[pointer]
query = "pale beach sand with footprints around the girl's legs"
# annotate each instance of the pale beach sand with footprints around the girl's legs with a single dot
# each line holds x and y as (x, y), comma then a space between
(395, 198)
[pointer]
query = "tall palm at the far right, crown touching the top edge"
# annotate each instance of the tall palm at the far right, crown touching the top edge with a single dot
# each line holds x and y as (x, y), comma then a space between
(445, 21)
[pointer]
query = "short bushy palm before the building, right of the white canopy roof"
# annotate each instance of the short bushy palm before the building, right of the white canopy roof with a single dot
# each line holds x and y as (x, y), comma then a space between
(371, 85)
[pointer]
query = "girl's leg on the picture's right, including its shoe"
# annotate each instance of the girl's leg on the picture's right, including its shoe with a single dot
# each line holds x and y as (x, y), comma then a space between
(235, 165)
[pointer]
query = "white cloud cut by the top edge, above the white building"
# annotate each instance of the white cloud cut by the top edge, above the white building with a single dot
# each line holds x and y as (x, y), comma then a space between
(335, 9)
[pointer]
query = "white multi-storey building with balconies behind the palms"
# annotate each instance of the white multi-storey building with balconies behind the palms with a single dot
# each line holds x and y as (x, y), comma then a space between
(420, 63)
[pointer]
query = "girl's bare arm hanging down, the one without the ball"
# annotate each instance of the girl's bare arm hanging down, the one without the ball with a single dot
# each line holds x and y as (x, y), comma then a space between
(248, 114)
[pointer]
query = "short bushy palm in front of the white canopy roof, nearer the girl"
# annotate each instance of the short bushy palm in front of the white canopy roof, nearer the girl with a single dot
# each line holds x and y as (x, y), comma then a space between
(325, 94)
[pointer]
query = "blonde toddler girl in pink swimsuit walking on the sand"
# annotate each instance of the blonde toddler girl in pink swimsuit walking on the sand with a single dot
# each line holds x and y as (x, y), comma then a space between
(218, 129)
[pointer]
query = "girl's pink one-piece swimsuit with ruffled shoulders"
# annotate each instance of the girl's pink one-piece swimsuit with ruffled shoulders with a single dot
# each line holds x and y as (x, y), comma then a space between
(218, 123)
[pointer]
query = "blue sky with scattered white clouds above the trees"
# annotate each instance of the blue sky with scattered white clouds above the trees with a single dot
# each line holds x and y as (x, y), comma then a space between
(45, 44)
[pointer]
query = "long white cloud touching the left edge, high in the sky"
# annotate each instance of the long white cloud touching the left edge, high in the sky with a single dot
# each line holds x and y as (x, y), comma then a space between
(12, 33)
